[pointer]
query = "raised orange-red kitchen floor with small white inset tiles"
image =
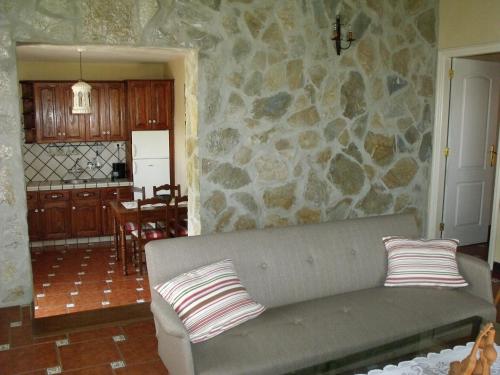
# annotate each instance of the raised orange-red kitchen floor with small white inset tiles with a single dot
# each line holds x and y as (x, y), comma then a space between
(72, 279)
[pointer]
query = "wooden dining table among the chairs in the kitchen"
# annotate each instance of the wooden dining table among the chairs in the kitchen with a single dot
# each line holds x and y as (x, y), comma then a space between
(123, 215)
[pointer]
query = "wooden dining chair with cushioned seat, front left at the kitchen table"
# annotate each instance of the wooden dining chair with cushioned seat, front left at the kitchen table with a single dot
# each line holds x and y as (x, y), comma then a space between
(147, 211)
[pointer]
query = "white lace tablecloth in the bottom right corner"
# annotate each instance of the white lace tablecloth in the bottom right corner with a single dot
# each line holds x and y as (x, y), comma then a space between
(434, 363)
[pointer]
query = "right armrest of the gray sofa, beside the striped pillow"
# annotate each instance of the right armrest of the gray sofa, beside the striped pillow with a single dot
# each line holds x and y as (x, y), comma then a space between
(478, 275)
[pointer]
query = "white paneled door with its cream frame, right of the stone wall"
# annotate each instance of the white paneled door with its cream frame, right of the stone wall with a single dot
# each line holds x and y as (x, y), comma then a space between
(463, 197)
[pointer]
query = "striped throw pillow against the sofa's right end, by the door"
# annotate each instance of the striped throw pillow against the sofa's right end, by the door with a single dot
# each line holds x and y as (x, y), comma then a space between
(422, 263)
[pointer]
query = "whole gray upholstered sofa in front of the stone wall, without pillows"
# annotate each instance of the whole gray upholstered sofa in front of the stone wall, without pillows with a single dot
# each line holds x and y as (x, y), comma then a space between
(323, 287)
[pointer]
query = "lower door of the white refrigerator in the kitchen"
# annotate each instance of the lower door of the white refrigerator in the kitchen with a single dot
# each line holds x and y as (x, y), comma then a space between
(149, 173)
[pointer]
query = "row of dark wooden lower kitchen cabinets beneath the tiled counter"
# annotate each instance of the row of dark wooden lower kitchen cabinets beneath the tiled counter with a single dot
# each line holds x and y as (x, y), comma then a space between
(60, 214)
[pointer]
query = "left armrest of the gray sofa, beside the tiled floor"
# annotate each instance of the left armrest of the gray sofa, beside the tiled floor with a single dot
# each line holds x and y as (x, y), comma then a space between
(174, 346)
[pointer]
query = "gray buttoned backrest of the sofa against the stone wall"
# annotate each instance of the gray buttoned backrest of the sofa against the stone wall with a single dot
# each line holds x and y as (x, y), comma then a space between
(281, 266)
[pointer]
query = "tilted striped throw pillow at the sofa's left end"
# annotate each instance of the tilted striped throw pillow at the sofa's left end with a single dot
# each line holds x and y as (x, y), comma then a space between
(210, 300)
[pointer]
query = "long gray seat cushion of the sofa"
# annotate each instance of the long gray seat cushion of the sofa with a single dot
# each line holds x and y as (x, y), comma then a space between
(289, 337)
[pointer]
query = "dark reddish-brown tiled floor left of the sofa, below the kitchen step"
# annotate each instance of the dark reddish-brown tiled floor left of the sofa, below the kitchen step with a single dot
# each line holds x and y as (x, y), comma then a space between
(126, 349)
